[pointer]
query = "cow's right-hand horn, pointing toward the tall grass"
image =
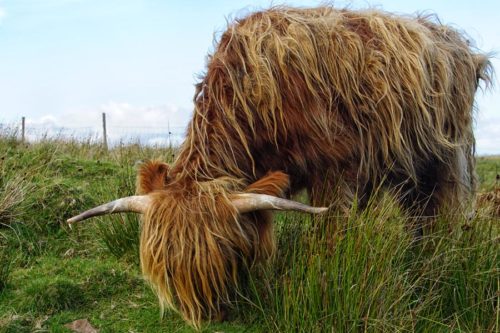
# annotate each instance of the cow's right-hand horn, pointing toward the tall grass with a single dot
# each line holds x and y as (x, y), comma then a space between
(249, 202)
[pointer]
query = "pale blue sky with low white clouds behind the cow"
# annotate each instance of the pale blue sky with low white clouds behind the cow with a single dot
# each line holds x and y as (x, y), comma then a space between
(63, 62)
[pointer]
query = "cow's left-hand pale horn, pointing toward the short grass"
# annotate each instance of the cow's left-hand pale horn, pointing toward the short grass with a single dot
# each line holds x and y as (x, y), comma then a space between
(134, 204)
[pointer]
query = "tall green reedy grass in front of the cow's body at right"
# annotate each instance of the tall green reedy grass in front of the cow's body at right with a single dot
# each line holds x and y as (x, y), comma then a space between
(368, 274)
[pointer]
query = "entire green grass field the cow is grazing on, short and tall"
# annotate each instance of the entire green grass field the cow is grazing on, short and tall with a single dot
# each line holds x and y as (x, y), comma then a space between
(362, 273)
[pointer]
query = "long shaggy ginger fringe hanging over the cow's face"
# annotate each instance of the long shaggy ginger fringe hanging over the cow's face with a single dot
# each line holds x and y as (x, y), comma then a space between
(191, 249)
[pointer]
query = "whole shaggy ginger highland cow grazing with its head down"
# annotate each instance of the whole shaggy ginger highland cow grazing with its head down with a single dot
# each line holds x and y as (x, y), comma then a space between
(337, 102)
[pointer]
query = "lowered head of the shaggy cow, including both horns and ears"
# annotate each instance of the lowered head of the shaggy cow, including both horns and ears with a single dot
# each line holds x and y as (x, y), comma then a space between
(197, 235)
